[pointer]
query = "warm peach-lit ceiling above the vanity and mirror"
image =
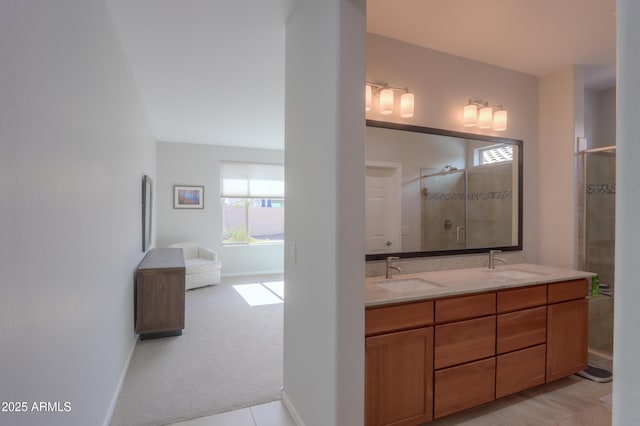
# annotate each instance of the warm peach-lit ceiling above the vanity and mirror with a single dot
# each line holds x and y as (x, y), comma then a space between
(533, 37)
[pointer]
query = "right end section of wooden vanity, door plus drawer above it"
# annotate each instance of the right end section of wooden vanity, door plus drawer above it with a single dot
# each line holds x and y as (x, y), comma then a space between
(567, 328)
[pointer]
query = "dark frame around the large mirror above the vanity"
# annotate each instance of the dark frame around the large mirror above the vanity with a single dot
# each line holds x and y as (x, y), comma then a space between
(462, 135)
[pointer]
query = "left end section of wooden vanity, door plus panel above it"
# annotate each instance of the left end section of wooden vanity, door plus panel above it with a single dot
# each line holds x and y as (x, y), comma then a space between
(399, 364)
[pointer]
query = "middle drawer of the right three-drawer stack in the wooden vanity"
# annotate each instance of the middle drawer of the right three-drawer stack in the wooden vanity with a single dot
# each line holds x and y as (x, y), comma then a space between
(521, 329)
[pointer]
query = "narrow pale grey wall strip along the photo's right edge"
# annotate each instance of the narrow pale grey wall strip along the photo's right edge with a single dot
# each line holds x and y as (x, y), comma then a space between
(626, 345)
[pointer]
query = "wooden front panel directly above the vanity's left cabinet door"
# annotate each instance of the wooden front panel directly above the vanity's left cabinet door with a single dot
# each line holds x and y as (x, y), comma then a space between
(398, 317)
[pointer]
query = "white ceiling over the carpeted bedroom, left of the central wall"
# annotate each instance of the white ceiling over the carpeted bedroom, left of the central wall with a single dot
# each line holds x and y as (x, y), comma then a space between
(208, 71)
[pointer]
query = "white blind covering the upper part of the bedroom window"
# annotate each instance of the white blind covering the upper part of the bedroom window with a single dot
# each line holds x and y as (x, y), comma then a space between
(251, 180)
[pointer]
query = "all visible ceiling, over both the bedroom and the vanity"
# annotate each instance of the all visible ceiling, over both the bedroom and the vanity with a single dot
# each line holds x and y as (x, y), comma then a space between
(212, 71)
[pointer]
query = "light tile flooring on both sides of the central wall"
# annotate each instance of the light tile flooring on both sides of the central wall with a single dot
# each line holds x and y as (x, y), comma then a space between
(571, 401)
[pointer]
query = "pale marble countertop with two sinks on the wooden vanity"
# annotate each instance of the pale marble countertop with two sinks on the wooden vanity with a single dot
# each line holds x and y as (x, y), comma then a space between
(436, 284)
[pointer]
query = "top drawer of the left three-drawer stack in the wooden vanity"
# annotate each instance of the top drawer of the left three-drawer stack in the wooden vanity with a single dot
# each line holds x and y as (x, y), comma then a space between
(465, 307)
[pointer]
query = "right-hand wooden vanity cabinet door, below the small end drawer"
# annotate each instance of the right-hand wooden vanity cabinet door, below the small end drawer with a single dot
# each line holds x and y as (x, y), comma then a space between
(567, 338)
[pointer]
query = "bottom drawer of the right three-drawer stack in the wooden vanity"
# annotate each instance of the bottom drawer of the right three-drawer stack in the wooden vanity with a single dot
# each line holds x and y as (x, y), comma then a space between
(520, 370)
